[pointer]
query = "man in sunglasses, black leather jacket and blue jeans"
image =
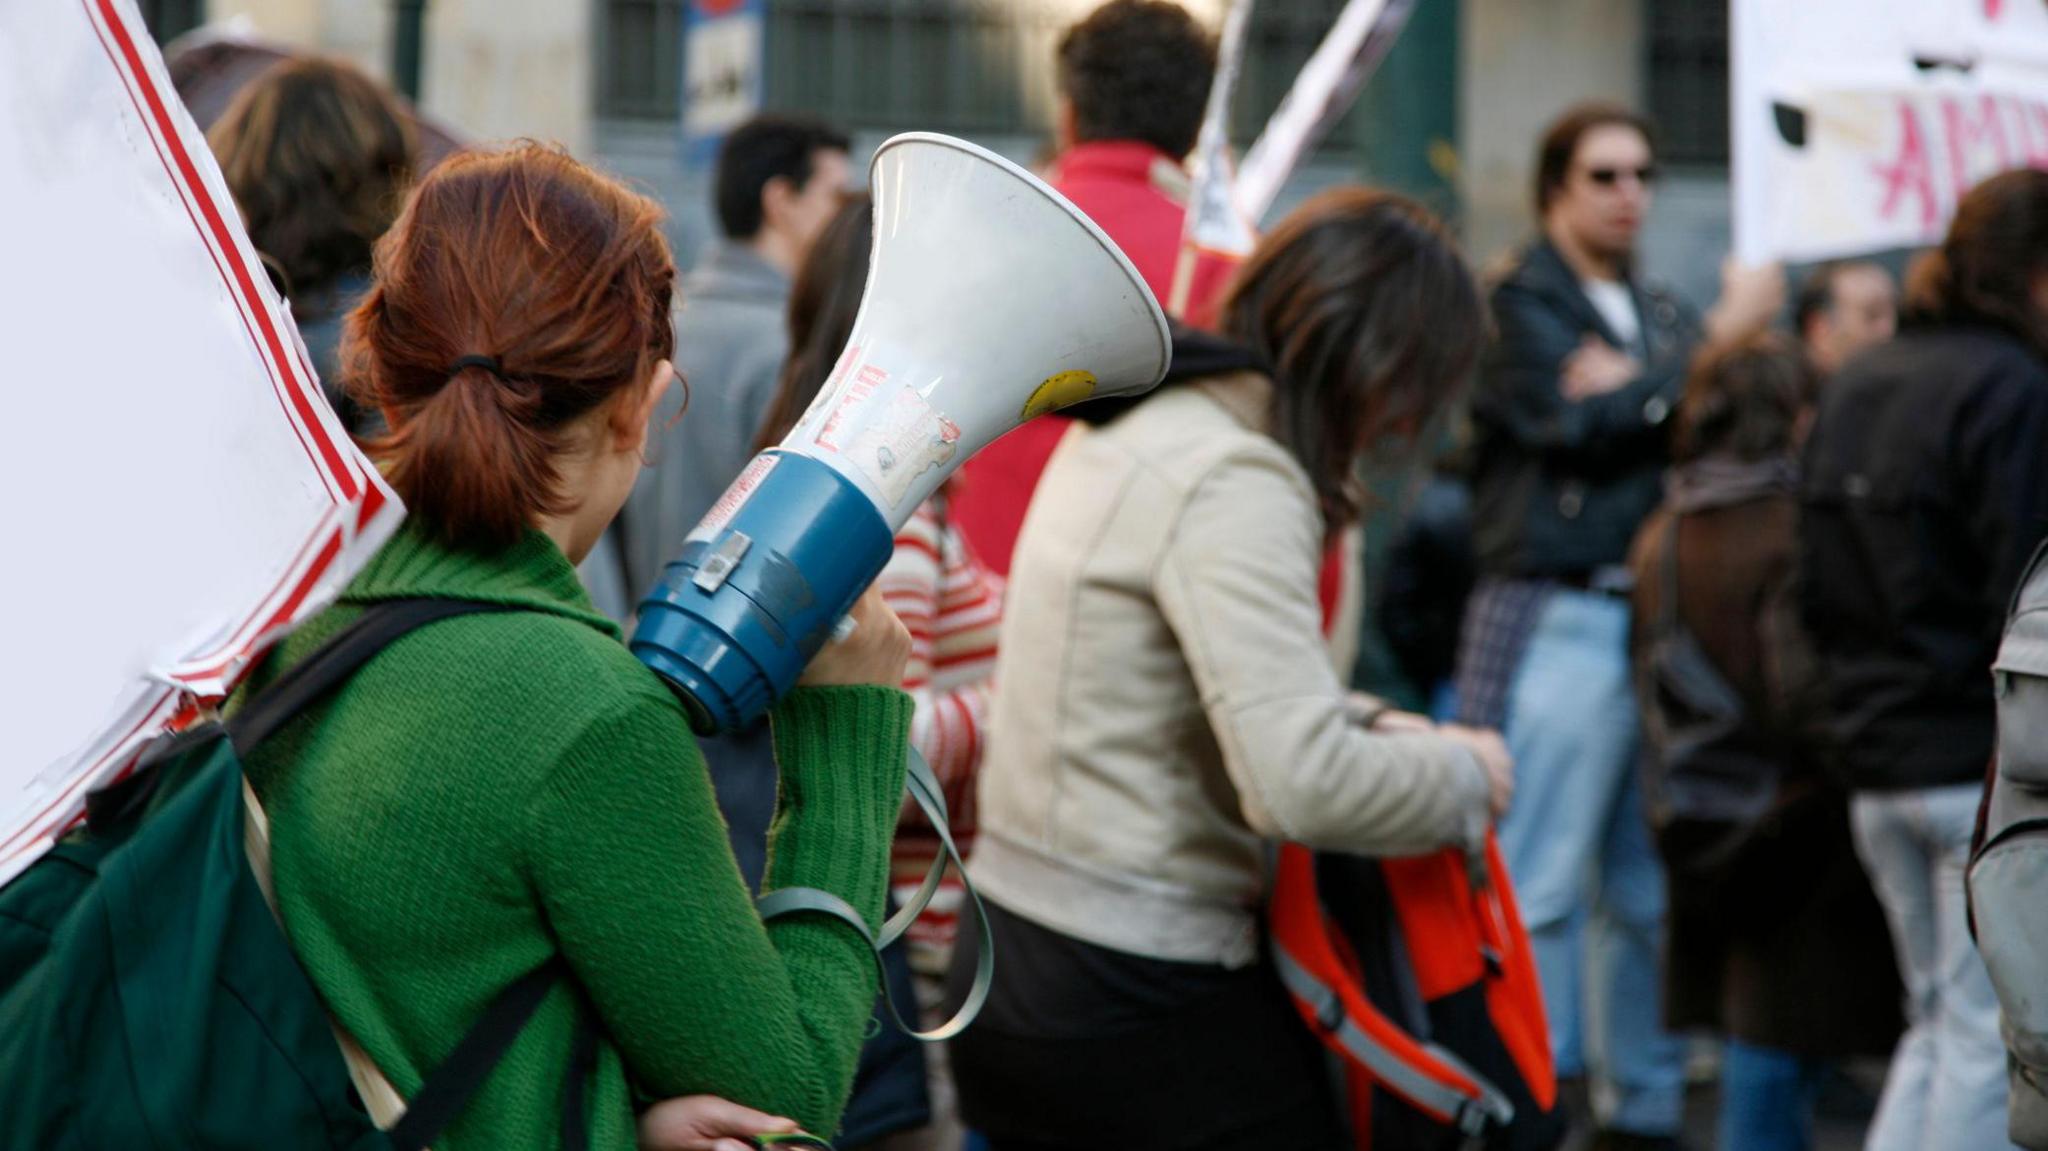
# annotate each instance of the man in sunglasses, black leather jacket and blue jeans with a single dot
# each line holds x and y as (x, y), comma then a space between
(1572, 419)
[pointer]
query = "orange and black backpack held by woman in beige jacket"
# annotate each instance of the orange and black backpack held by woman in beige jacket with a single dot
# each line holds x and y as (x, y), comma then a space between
(1418, 974)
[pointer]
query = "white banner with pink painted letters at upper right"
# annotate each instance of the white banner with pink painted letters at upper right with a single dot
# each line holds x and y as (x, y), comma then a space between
(1859, 124)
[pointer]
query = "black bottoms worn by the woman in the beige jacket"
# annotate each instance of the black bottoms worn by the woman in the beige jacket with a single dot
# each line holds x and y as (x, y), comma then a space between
(1084, 1048)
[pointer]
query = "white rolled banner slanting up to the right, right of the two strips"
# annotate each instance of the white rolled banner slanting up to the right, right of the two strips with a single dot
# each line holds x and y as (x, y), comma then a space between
(1320, 95)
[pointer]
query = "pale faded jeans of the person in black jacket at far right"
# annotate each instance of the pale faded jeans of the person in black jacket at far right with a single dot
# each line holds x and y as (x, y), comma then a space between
(1947, 1086)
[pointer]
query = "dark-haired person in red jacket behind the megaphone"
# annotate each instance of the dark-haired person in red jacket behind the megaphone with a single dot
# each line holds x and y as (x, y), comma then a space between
(1134, 79)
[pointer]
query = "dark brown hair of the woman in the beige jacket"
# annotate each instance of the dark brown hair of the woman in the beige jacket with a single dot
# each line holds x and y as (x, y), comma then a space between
(1369, 321)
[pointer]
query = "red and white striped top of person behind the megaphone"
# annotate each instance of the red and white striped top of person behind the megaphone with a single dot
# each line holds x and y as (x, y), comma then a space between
(953, 611)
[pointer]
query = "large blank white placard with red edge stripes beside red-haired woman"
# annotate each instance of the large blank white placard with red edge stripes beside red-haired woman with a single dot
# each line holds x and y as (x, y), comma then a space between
(179, 493)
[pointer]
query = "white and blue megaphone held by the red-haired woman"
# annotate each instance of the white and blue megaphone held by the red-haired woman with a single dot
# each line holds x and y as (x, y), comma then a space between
(990, 300)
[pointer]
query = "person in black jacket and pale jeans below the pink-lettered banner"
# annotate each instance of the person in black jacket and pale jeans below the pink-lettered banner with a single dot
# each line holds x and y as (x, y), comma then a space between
(1926, 491)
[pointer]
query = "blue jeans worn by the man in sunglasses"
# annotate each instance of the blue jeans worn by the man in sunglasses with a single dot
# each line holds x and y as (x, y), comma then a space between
(1586, 873)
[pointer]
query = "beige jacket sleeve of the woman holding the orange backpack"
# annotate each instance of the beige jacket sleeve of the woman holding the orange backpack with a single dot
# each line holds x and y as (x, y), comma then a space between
(1238, 585)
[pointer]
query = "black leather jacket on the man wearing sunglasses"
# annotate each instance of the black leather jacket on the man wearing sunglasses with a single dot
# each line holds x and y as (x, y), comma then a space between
(1562, 486)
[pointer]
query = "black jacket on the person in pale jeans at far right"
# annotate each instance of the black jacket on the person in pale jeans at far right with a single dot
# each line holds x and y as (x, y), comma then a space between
(1926, 493)
